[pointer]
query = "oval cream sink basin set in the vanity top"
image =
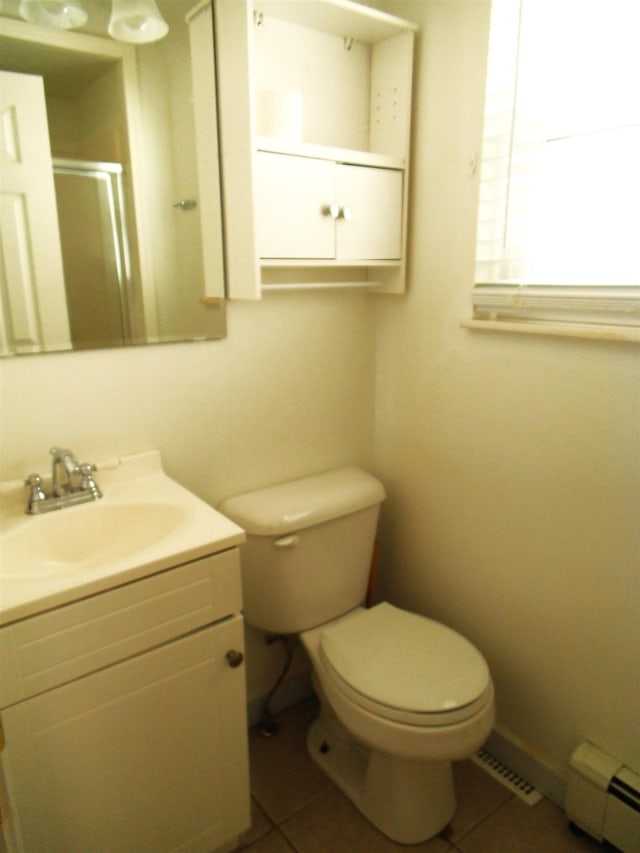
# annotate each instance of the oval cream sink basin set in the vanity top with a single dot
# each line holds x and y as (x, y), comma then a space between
(67, 541)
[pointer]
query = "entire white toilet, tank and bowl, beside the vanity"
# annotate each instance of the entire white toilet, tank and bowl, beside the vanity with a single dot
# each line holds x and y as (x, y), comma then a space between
(402, 696)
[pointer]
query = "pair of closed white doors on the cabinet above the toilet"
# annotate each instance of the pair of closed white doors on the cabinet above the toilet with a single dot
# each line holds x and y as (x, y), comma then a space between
(309, 208)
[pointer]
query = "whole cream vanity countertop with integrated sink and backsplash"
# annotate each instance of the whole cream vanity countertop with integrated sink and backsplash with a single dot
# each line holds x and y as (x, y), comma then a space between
(144, 523)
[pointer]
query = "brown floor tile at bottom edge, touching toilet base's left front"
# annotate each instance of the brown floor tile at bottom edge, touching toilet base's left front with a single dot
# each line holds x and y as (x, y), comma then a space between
(332, 824)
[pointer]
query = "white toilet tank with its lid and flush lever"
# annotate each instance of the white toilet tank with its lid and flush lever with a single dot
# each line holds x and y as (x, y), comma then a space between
(309, 546)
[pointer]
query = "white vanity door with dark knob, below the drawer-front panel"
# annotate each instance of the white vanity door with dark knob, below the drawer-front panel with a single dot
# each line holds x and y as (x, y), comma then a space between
(146, 756)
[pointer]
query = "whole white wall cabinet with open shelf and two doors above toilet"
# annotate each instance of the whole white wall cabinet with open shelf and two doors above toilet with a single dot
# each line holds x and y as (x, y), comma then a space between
(315, 99)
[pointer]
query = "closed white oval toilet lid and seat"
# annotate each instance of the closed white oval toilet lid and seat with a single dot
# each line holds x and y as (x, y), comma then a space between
(405, 666)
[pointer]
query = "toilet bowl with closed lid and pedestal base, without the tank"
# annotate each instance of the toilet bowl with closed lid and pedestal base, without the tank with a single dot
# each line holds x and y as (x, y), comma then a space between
(402, 780)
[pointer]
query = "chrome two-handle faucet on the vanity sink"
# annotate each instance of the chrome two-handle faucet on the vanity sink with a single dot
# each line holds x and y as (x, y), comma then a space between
(71, 484)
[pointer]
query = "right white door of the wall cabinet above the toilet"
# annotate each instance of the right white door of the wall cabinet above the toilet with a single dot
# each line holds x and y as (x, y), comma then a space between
(372, 227)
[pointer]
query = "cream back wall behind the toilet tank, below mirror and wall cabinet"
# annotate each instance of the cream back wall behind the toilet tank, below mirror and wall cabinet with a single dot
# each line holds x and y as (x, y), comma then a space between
(289, 392)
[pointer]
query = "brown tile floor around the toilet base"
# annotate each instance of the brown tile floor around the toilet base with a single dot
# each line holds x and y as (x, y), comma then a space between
(297, 808)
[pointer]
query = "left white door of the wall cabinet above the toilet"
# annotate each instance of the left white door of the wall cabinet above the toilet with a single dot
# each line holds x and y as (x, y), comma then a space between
(292, 195)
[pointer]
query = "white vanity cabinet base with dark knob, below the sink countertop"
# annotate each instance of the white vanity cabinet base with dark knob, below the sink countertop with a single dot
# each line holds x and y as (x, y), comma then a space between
(124, 718)
